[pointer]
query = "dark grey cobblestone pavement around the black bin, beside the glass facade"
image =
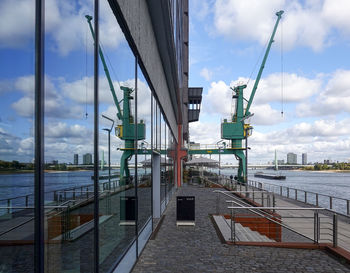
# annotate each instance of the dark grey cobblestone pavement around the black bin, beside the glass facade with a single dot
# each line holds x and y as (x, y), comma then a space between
(198, 249)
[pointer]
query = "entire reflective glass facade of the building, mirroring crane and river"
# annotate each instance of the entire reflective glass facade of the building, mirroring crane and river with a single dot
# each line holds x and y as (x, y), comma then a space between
(88, 206)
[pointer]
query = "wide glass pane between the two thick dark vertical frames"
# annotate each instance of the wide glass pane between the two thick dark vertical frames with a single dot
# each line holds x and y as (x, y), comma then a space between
(68, 121)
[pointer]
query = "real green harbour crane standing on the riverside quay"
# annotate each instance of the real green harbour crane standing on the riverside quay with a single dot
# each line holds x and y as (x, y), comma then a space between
(236, 129)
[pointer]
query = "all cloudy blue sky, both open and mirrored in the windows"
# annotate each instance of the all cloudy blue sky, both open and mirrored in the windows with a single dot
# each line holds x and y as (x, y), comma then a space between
(227, 39)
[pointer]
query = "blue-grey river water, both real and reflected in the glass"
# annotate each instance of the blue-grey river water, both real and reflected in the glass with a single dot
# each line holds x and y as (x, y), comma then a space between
(335, 184)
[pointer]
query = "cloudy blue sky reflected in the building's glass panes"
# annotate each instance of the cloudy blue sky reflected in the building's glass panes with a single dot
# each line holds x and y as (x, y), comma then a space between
(68, 80)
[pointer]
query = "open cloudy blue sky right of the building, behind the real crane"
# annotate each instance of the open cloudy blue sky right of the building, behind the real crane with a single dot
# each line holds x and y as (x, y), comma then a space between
(306, 76)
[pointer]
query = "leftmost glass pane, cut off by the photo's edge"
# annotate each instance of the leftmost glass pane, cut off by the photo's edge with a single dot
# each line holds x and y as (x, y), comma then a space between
(17, 135)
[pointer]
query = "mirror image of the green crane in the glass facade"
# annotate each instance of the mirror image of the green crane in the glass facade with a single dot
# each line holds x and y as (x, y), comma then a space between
(125, 131)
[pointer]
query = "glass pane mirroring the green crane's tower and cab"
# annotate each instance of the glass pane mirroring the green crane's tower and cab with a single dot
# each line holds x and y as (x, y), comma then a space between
(117, 186)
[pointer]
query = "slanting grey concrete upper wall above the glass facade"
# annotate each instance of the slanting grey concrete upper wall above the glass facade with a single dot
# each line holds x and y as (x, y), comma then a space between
(138, 22)
